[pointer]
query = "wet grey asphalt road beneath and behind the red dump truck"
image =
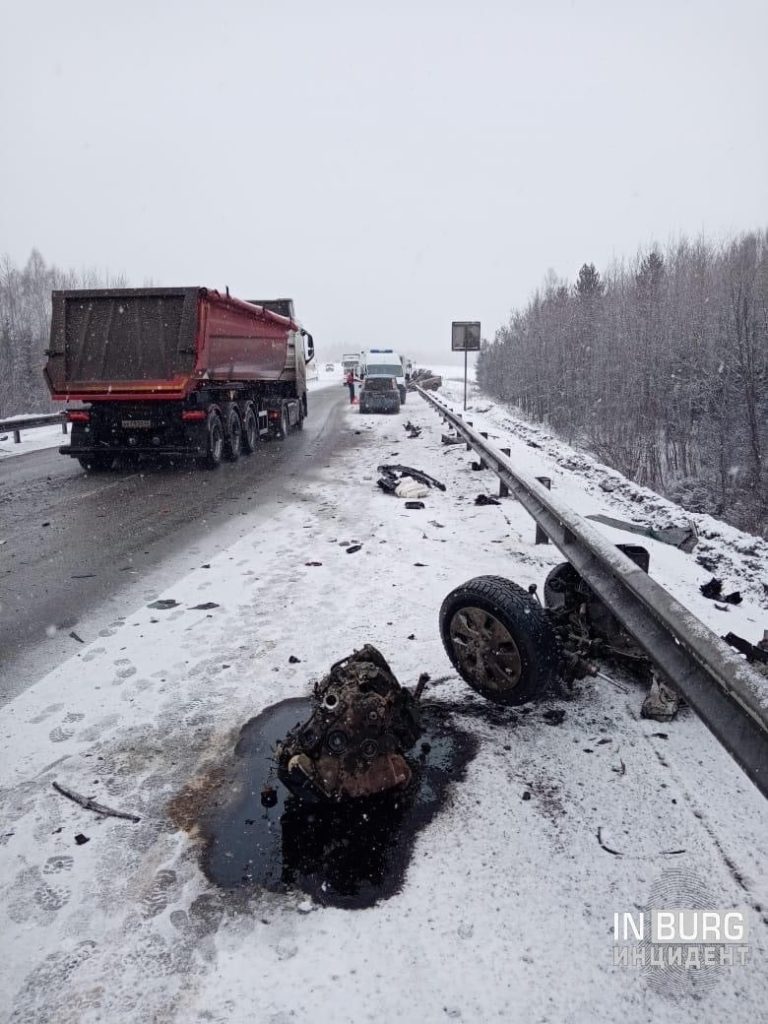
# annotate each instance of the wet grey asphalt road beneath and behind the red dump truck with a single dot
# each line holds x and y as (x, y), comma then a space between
(74, 543)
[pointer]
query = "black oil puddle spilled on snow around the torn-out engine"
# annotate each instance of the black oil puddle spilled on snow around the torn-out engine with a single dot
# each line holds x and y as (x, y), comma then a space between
(349, 856)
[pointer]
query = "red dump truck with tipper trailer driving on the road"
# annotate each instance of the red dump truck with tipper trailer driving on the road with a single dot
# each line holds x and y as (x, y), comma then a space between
(176, 372)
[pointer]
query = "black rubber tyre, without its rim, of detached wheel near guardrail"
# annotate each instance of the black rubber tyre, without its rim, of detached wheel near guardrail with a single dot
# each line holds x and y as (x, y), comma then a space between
(528, 624)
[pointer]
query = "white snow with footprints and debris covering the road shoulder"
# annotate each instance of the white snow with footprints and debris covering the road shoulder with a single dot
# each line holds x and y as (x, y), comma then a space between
(507, 908)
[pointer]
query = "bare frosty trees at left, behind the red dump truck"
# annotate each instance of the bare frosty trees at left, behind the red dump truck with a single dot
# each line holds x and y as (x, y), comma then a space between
(25, 327)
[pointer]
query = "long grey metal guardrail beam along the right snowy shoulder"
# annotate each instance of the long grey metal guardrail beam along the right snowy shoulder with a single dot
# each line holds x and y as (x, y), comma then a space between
(728, 695)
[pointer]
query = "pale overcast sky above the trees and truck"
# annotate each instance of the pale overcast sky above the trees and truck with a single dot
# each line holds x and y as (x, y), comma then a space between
(392, 166)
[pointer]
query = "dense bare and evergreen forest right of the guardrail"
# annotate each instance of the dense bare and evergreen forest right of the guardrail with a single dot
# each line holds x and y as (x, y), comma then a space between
(659, 366)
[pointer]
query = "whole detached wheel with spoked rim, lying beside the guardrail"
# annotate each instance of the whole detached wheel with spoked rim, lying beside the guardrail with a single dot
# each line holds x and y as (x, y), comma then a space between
(500, 641)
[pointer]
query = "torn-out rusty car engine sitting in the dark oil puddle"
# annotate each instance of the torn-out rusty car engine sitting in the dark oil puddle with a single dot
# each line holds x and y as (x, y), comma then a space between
(355, 742)
